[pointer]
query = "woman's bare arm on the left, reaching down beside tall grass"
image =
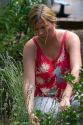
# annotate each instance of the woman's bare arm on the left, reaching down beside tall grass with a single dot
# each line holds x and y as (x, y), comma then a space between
(29, 76)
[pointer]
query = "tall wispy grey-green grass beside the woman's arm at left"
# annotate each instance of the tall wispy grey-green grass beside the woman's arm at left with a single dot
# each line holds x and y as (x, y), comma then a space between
(12, 76)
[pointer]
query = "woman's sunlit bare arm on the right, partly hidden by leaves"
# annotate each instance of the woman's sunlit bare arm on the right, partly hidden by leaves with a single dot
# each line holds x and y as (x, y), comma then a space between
(73, 48)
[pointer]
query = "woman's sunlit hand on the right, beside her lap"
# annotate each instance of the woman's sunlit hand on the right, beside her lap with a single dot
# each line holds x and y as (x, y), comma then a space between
(64, 103)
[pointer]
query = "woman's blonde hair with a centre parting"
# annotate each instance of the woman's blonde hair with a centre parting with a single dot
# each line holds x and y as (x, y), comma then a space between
(41, 11)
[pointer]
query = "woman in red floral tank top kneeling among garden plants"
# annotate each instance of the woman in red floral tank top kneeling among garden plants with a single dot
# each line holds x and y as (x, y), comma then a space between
(47, 57)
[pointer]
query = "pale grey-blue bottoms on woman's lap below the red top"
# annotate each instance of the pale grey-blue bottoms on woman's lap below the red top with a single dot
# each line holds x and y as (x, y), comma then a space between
(49, 105)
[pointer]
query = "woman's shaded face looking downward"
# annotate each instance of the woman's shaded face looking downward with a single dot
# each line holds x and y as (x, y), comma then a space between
(44, 29)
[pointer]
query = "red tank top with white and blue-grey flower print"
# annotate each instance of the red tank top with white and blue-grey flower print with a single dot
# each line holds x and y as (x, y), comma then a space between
(49, 75)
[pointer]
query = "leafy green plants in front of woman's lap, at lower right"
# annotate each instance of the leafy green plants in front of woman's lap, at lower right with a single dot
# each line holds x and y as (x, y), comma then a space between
(72, 115)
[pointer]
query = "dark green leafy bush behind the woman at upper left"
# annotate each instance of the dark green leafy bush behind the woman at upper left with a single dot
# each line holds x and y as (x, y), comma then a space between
(15, 29)
